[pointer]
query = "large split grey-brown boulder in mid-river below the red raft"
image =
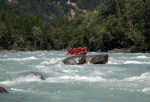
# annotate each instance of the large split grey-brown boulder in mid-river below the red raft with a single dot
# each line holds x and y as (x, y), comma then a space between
(82, 59)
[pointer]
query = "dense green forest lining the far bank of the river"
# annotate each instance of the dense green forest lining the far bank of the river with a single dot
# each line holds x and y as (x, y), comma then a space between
(110, 24)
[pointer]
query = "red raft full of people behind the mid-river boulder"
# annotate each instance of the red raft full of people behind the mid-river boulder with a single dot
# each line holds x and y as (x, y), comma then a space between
(76, 51)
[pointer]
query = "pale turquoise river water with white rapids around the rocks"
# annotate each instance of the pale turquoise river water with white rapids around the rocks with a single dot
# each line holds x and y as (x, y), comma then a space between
(125, 78)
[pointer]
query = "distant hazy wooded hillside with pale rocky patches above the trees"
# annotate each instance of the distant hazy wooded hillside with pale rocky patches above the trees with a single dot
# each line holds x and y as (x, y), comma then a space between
(47, 8)
